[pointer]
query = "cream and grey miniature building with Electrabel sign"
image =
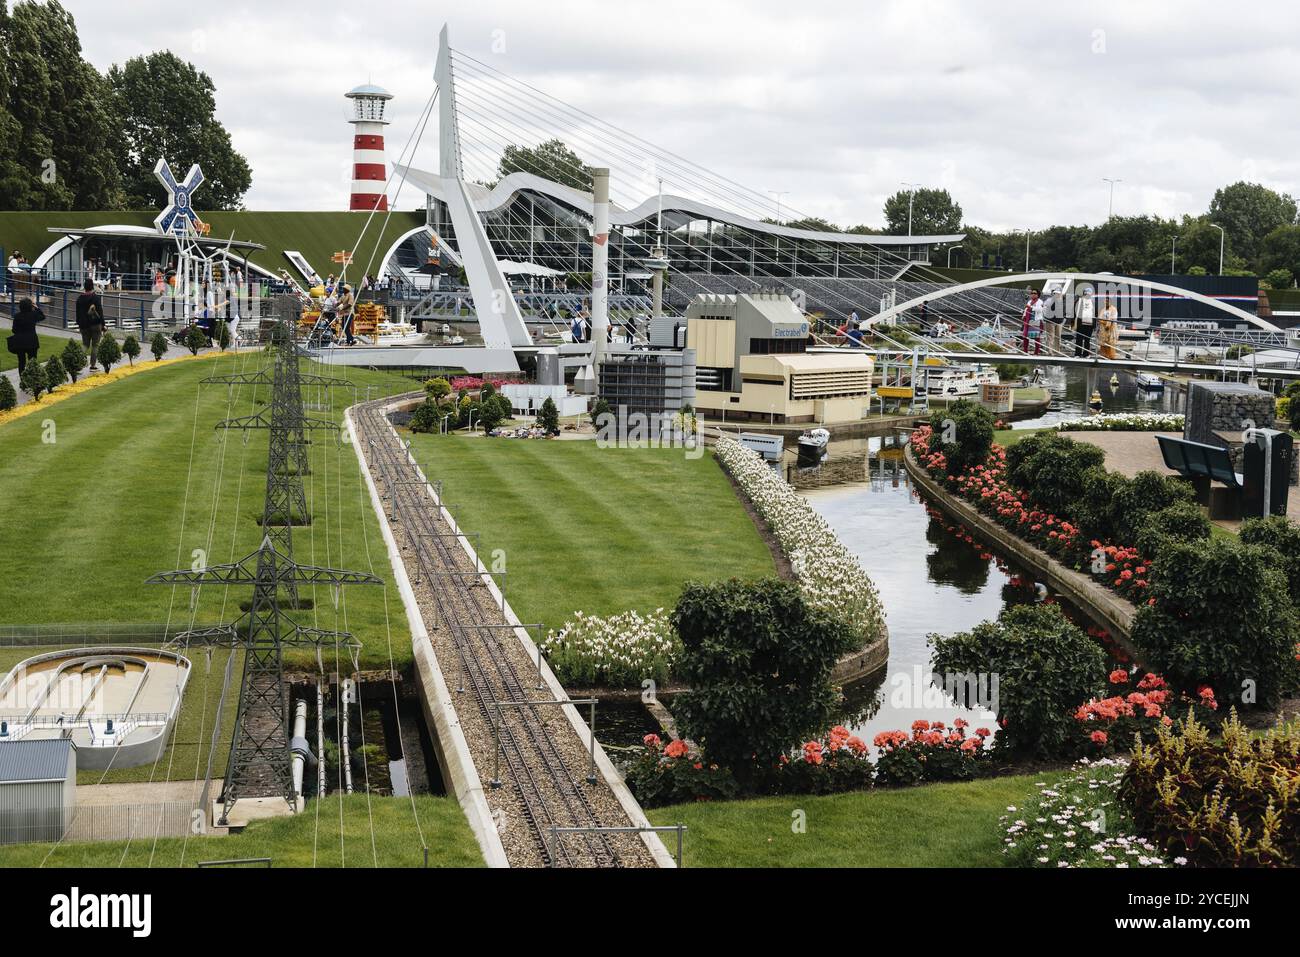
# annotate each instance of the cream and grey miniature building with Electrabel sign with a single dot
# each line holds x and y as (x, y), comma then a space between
(753, 363)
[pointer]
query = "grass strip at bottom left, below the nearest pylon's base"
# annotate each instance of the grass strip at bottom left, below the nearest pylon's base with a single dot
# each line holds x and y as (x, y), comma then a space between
(305, 841)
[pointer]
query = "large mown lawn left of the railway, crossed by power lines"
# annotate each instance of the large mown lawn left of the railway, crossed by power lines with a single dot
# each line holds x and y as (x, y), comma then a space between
(115, 500)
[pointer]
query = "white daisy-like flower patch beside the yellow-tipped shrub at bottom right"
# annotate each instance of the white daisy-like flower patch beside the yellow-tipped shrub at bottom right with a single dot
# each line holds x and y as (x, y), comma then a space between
(1080, 824)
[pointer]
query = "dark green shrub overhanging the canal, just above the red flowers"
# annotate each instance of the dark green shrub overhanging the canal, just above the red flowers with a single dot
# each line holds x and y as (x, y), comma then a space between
(1045, 664)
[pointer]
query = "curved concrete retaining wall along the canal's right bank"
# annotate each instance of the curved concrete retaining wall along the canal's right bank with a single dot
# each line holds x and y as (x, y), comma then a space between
(1112, 612)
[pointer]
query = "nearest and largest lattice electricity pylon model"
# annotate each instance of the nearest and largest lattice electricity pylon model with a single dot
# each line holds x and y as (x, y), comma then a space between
(261, 759)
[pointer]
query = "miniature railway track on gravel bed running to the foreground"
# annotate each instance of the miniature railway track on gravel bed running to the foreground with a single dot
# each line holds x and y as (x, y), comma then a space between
(547, 789)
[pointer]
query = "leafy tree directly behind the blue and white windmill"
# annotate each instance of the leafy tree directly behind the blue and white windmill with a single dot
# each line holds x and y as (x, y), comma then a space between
(170, 107)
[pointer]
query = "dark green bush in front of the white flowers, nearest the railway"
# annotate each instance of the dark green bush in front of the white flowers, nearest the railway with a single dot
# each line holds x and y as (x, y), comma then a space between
(759, 662)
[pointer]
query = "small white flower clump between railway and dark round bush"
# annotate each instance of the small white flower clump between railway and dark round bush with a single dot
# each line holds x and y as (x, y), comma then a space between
(619, 651)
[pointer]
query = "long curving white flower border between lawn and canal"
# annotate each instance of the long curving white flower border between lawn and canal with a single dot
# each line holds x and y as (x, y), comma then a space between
(829, 574)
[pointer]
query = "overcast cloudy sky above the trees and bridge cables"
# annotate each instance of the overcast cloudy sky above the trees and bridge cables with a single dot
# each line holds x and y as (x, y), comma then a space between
(1019, 109)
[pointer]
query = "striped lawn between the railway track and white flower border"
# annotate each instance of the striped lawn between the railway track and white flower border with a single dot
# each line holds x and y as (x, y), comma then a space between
(595, 530)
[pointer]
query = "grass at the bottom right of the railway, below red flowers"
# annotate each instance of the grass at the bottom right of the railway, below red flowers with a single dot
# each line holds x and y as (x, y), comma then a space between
(931, 826)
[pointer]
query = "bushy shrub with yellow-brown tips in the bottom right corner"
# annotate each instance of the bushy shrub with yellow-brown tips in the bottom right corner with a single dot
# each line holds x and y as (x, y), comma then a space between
(1233, 802)
